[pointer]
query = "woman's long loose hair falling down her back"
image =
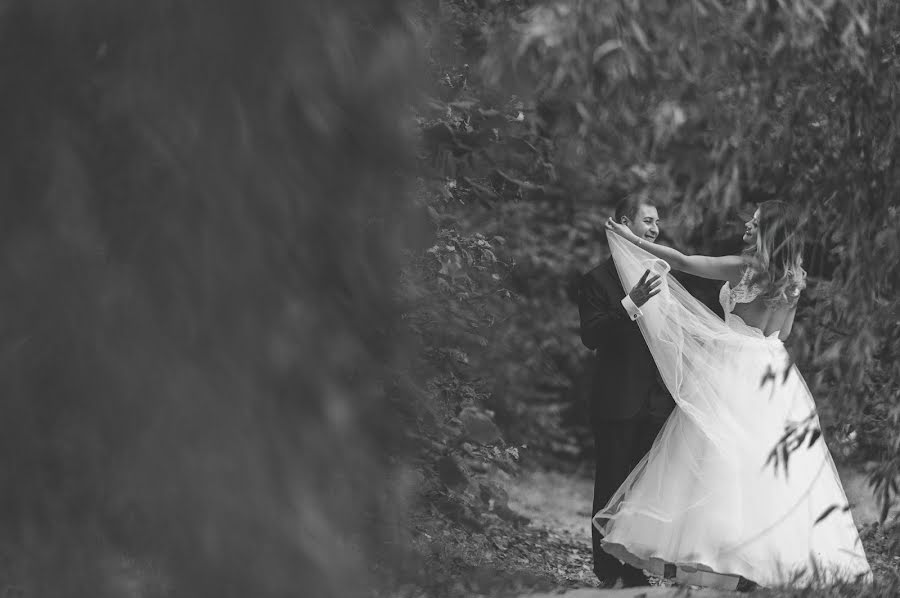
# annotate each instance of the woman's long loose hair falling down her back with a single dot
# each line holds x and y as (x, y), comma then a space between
(777, 258)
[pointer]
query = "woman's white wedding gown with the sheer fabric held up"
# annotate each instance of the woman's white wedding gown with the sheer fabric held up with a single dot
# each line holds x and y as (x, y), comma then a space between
(703, 498)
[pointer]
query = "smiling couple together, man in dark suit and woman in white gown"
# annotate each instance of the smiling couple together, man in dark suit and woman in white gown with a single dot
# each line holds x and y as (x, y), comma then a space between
(686, 408)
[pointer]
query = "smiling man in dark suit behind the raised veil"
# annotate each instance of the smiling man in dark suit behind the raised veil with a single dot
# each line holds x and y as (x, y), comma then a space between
(629, 403)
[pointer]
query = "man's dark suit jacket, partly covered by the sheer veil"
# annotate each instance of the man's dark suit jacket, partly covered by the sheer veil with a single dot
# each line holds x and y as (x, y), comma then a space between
(625, 381)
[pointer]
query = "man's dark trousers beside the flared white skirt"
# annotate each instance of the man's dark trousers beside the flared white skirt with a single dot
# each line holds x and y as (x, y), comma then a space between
(619, 446)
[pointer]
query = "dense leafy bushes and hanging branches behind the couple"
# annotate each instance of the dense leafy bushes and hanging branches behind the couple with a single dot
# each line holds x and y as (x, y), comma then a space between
(715, 105)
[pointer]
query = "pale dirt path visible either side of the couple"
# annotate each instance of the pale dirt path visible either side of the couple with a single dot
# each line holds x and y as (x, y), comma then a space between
(561, 503)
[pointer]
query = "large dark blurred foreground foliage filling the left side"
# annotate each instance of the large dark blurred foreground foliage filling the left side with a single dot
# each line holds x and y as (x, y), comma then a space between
(200, 209)
